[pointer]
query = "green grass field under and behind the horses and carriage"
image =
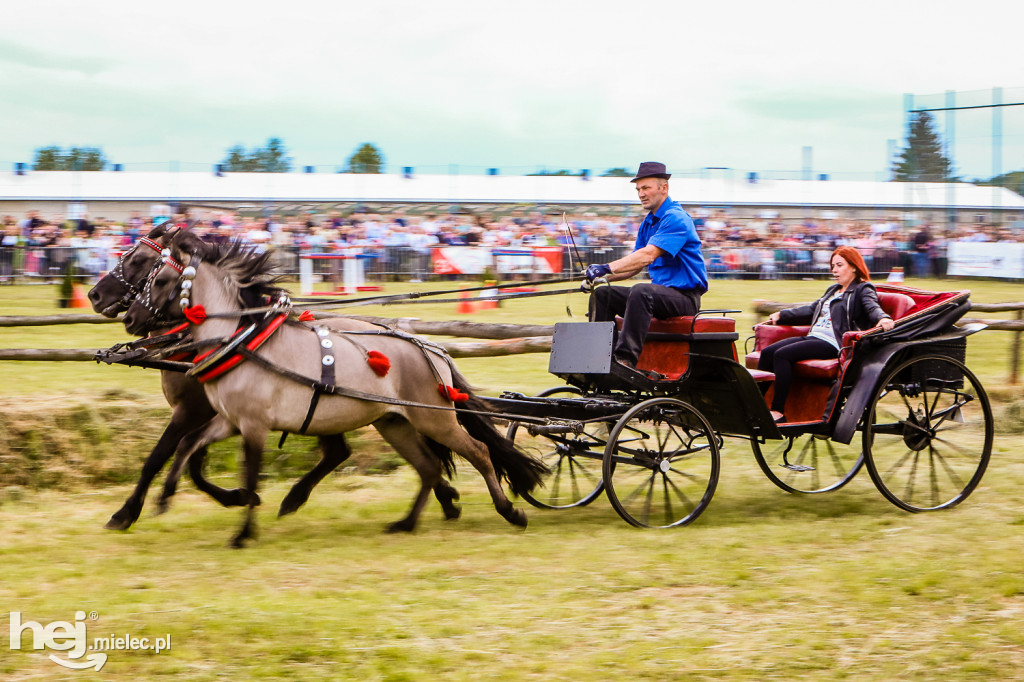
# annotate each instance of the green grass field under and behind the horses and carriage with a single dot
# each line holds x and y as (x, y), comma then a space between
(763, 586)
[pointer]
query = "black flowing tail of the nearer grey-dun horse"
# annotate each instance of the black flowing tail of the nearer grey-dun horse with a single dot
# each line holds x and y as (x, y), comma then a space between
(523, 473)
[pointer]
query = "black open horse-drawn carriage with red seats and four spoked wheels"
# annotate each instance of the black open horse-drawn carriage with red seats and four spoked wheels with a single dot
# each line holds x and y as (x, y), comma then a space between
(902, 402)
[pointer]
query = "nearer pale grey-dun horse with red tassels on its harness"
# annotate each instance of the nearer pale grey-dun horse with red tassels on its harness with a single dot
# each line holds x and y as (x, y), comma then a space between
(411, 404)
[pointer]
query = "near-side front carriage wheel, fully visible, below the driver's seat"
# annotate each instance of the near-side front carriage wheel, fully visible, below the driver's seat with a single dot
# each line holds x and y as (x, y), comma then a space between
(662, 464)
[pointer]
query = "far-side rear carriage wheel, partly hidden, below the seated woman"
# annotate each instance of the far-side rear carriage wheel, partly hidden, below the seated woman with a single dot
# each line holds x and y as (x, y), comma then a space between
(808, 463)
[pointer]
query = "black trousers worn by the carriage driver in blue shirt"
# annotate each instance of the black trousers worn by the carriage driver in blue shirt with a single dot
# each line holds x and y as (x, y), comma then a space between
(638, 305)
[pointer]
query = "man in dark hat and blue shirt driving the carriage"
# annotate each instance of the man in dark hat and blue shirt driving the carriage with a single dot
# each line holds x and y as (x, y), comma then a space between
(668, 245)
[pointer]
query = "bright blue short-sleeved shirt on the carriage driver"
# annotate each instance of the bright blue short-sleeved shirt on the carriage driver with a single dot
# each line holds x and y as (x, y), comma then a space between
(671, 230)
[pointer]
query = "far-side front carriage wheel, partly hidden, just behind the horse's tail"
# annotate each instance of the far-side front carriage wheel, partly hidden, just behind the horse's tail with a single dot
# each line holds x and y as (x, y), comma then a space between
(575, 460)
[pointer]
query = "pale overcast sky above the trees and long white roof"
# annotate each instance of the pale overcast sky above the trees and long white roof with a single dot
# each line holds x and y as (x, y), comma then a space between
(517, 86)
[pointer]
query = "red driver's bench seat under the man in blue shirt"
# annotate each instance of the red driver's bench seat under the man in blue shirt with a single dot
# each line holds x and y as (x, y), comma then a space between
(669, 344)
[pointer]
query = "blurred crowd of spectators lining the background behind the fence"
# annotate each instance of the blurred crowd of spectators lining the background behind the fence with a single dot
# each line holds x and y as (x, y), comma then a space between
(734, 247)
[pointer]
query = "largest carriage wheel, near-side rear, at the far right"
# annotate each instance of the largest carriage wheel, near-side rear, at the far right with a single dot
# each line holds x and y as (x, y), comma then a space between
(928, 435)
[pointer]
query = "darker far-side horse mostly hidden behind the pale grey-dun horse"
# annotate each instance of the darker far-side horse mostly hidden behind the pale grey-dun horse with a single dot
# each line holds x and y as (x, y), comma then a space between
(191, 409)
